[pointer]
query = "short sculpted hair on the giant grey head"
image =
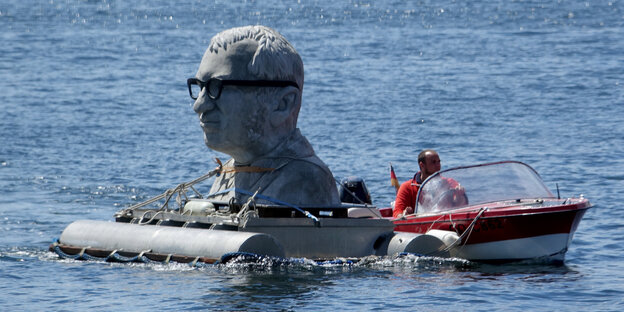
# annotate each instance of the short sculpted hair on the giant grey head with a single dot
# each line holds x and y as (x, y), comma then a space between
(275, 58)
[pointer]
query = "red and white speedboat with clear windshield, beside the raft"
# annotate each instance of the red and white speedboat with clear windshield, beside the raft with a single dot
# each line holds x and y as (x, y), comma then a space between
(500, 212)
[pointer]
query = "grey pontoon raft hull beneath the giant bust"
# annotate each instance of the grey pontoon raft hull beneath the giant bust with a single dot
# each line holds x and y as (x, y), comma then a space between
(326, 238)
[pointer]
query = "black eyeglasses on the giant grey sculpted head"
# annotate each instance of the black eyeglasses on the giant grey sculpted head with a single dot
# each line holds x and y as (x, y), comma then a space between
(214, 86)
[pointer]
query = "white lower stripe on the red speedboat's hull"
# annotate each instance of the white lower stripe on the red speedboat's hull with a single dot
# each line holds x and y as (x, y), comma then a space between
(553, 245)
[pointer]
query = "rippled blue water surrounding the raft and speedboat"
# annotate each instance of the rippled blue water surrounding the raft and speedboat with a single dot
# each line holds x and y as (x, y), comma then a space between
(95, 115)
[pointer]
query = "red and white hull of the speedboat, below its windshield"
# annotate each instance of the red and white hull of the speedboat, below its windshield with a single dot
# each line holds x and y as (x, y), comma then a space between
(502, 234)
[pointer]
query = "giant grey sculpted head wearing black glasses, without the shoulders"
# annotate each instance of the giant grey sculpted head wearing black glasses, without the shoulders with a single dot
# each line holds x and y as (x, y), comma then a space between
(248, 91)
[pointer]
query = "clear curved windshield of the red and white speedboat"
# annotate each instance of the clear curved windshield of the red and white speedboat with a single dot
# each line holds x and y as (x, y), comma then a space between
(473, 185)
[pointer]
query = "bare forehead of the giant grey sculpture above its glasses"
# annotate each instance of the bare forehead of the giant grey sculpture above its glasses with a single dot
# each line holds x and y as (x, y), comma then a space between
(230, 63)
